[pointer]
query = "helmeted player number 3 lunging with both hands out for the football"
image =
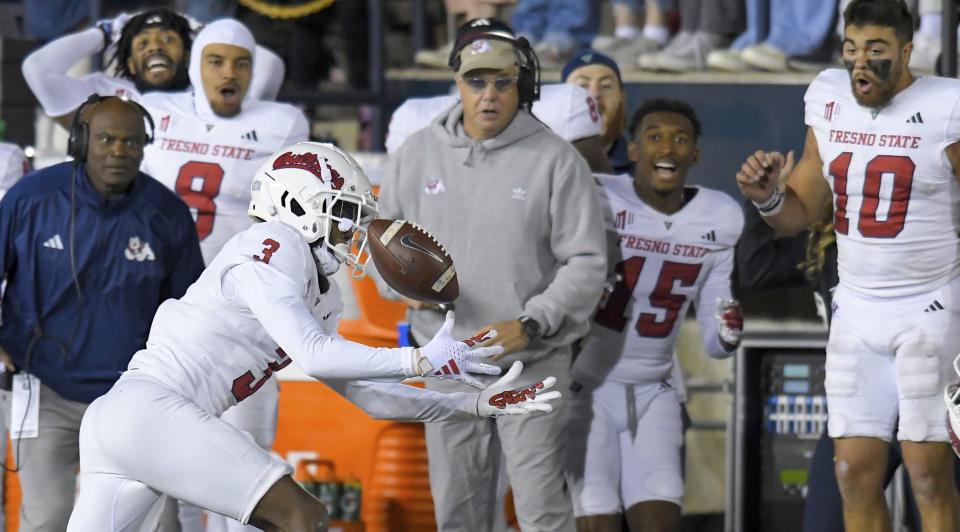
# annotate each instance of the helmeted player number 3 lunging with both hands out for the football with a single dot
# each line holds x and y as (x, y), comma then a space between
(265, 301)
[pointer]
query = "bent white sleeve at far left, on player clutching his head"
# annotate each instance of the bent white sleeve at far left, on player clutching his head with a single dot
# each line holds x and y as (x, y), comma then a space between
(45, 71)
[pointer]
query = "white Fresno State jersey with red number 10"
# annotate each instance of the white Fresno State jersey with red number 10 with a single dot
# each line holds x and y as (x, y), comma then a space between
(896, 200)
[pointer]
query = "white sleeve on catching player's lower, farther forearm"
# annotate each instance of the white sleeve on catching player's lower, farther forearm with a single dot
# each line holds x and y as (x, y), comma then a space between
(399, 402)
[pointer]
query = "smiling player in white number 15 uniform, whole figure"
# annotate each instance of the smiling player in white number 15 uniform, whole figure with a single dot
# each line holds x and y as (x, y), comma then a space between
(670, 245)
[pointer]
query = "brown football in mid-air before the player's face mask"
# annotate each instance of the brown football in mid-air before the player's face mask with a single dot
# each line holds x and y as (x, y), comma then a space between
(412, 261)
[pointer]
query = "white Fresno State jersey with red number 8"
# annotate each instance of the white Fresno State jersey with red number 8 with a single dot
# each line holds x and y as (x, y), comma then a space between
(210, 164)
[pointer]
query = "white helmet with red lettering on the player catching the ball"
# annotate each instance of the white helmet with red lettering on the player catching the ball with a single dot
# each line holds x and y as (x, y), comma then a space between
(317, 188)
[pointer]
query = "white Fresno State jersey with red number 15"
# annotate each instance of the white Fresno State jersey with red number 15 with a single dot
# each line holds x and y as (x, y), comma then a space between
(661, 264)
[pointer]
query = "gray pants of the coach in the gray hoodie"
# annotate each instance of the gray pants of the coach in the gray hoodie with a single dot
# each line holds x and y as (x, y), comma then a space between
(465, 459)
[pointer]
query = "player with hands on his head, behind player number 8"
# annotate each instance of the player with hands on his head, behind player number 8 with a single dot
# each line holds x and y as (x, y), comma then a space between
(151, 55)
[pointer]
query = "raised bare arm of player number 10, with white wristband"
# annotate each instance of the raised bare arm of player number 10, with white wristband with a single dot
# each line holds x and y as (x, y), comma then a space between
(795, 205)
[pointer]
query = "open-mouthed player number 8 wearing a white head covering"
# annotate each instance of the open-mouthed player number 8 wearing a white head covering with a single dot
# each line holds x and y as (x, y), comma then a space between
(209, 143)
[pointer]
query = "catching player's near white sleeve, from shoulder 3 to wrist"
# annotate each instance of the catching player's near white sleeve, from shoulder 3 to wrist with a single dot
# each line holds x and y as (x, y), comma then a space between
(276, 301)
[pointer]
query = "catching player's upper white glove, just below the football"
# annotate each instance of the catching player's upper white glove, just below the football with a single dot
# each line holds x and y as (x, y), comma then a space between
(446, 358)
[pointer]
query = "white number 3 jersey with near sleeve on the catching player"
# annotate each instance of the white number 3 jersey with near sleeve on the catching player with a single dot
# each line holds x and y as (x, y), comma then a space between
(258, 305)
